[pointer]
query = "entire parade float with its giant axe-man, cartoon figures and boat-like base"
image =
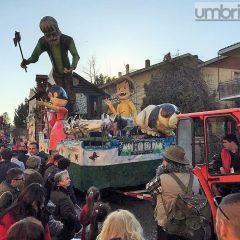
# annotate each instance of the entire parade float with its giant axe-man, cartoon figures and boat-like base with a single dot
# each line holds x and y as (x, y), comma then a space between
(108, 152)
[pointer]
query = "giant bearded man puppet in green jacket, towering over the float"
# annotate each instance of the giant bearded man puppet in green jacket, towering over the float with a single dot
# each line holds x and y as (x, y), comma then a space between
(57, 46)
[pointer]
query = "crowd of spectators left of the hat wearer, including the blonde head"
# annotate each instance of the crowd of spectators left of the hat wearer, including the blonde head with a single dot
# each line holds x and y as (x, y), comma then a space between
(38, 202)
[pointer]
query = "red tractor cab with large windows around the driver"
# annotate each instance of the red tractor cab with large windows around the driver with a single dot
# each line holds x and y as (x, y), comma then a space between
(201, 135)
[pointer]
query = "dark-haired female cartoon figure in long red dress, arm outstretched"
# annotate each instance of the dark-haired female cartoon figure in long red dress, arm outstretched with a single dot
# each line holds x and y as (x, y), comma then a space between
(59, 100)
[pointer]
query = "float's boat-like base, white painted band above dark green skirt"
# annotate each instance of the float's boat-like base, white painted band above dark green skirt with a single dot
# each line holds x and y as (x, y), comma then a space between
(115, 163)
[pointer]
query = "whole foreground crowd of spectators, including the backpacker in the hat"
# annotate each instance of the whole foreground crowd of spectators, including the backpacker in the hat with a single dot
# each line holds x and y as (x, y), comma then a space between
(38, 202)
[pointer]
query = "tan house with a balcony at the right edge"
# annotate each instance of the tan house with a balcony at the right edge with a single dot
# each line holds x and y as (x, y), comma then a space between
(222, 74)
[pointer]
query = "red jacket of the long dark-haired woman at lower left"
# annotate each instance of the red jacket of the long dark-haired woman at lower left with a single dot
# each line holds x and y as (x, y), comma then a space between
(8, 220)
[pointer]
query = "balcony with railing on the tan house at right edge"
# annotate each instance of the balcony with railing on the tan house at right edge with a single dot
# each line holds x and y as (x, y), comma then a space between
(229, 90)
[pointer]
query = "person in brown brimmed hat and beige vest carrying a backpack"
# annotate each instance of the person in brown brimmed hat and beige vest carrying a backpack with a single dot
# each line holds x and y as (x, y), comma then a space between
(174, 161)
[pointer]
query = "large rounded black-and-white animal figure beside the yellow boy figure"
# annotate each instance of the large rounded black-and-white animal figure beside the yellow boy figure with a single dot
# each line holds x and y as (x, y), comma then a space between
(158, 120)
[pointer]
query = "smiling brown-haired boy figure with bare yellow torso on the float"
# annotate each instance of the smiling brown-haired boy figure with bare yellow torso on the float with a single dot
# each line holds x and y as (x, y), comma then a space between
(125, 108)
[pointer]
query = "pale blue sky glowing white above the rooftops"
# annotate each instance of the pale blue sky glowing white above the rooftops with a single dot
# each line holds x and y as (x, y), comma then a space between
(114, 32)
